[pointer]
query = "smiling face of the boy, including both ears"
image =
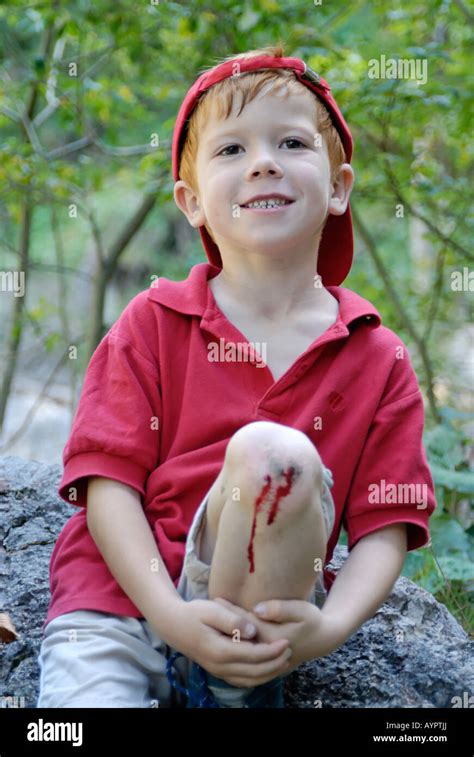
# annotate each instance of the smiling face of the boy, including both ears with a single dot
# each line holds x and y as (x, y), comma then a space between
(271, 147)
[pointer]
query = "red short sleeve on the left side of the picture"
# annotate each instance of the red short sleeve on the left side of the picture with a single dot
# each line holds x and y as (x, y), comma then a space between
(115, 432)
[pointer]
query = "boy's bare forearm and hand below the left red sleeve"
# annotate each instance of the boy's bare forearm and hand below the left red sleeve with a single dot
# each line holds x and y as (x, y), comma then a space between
(118, 525)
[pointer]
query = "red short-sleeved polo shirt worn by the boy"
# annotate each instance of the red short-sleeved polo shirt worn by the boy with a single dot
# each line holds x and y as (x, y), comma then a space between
(157, 415)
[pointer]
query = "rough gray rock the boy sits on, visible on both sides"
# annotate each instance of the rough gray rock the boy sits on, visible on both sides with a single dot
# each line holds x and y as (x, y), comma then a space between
(412, 653)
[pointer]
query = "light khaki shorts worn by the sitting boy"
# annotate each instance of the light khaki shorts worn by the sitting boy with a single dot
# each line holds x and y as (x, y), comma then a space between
(97, 659)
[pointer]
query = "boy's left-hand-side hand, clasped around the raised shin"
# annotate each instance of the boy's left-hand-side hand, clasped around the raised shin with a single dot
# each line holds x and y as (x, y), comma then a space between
(207, 637)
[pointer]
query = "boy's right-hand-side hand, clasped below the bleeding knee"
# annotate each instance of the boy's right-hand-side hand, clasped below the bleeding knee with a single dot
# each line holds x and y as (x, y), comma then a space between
(309, 631)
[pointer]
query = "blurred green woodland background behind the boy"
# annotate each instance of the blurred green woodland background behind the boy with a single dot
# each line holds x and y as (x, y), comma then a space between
(89, 92)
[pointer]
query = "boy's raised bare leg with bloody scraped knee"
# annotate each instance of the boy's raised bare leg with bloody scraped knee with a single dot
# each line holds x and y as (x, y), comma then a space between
(264, 522)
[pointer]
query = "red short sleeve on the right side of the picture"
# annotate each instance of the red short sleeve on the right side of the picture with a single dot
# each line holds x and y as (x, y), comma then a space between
(392, 482)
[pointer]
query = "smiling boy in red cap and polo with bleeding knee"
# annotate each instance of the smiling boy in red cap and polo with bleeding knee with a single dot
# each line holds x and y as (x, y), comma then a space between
(179, 407)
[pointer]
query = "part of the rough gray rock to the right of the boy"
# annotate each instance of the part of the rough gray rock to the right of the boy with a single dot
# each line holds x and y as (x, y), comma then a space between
(412, 653)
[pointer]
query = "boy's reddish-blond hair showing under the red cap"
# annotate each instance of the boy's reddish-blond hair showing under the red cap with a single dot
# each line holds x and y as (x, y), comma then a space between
(249, 84)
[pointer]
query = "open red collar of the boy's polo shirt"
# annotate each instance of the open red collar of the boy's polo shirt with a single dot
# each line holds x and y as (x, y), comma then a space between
(193, 297)
